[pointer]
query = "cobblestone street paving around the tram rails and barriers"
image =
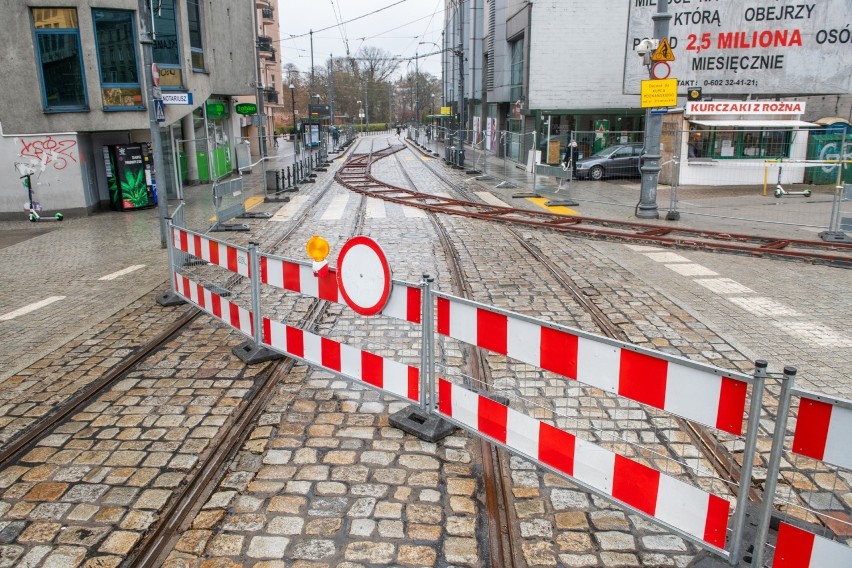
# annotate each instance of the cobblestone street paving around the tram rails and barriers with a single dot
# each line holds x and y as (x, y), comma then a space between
(323, 480)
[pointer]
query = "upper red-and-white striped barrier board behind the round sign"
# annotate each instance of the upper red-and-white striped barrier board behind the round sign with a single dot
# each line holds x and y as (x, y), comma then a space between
(404, 302)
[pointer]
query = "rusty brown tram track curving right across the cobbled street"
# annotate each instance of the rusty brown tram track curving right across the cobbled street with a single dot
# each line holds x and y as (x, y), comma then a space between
(355, 175)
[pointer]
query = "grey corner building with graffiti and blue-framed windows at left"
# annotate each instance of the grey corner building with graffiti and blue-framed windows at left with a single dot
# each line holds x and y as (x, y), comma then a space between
(80, 95)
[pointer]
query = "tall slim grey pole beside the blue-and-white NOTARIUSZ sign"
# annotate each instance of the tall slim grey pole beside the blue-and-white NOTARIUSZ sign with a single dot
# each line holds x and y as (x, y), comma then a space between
(146, 40)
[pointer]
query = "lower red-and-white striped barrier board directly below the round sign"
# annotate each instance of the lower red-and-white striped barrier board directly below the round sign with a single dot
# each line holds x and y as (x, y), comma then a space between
(389, 375)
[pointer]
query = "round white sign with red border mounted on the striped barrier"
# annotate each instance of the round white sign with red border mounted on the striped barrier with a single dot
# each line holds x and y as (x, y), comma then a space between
(363, 275)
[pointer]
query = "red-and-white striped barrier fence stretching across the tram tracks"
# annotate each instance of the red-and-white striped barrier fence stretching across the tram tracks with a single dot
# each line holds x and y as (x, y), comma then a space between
(672, 494)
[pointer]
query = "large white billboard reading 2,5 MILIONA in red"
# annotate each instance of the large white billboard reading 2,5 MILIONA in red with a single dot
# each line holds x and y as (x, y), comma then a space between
(784, 47)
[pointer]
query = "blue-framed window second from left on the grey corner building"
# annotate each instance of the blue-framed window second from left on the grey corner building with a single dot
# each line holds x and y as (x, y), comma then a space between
(119, 68)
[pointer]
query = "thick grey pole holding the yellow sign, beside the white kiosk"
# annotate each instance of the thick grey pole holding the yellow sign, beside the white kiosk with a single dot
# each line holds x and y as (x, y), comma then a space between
(647, 206)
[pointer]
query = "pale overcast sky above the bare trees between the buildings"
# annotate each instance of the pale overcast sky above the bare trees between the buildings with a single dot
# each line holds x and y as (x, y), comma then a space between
(399, 29)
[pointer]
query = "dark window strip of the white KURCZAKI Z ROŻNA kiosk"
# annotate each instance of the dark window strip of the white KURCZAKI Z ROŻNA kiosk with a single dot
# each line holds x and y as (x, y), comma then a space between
(739, 144)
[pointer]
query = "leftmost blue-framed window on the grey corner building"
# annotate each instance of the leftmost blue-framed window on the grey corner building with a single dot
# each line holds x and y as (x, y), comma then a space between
(60, 61)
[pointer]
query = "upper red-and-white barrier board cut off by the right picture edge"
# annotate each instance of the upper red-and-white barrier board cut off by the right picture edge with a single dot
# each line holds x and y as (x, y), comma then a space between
(822, 432)
